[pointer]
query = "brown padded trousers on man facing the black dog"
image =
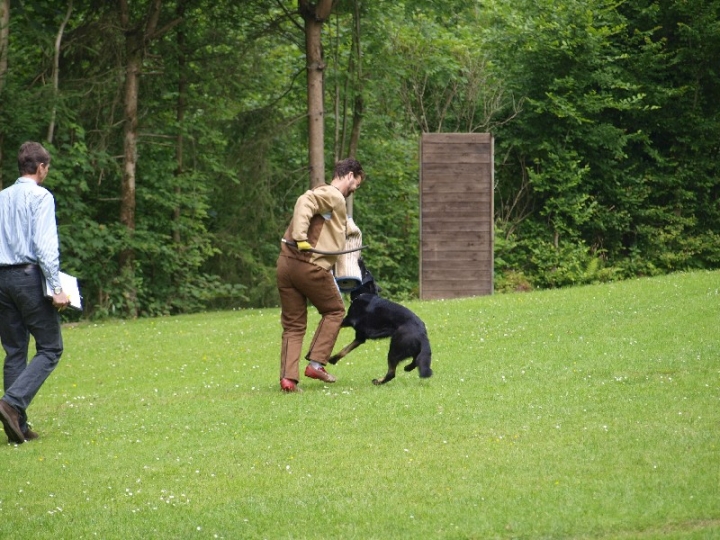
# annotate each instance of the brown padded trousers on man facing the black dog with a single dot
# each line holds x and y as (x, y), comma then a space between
(299, 281)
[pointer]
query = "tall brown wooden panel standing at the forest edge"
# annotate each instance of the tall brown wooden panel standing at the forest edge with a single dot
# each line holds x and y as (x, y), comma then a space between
(456, 215)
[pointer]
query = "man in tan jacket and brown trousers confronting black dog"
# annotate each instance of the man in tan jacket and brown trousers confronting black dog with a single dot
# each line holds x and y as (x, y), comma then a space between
(303, 273)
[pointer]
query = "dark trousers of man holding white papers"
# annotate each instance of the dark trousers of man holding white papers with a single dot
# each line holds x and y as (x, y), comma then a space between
(26, 311)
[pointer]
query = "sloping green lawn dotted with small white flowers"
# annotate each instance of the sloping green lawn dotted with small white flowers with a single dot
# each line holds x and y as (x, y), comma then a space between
(591, 412)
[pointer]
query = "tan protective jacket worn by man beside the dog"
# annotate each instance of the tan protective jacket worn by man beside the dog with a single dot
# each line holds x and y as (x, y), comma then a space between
(320, 218)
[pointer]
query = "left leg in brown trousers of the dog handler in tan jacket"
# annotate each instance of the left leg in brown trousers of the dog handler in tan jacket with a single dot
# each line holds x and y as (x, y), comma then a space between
(293, 319)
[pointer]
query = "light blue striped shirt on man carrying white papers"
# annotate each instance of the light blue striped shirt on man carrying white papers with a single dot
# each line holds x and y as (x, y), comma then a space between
(28, 230)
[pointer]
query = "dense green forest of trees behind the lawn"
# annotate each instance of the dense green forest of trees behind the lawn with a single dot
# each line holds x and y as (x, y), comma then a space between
(182, 134)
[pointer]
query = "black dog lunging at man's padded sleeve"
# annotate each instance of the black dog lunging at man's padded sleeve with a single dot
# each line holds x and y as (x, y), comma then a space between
(373, 317)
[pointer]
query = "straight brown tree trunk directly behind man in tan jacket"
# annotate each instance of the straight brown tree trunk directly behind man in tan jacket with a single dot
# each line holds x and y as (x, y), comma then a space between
(314, 16)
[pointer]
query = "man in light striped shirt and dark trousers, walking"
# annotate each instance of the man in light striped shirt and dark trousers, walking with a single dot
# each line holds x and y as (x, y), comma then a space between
(29, 255)
